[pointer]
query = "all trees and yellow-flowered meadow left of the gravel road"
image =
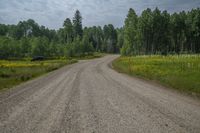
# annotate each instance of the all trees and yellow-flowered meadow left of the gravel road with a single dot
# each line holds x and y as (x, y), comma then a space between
(70, 43)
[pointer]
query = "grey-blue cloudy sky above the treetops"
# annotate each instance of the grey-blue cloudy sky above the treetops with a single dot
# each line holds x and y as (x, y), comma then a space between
(52, 13)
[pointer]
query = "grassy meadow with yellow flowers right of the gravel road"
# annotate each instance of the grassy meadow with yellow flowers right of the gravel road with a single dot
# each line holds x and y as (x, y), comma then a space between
(180, 72)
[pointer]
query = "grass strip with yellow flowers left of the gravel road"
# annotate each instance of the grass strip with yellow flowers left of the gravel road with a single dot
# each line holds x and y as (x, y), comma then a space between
(15, 72)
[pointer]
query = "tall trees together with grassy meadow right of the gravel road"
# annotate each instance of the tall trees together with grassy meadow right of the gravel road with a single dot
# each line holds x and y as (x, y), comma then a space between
(171, 39)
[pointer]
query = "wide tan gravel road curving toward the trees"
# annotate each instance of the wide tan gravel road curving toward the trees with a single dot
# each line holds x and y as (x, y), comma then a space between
(90, 97)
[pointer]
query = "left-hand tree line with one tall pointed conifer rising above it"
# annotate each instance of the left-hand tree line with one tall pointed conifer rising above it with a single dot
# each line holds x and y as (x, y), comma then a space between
(29, 39)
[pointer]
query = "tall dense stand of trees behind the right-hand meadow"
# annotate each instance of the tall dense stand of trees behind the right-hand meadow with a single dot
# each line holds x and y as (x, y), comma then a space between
(158, 32)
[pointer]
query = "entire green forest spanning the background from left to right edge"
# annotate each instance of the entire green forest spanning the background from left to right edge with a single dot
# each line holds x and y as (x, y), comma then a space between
(152, 32)
